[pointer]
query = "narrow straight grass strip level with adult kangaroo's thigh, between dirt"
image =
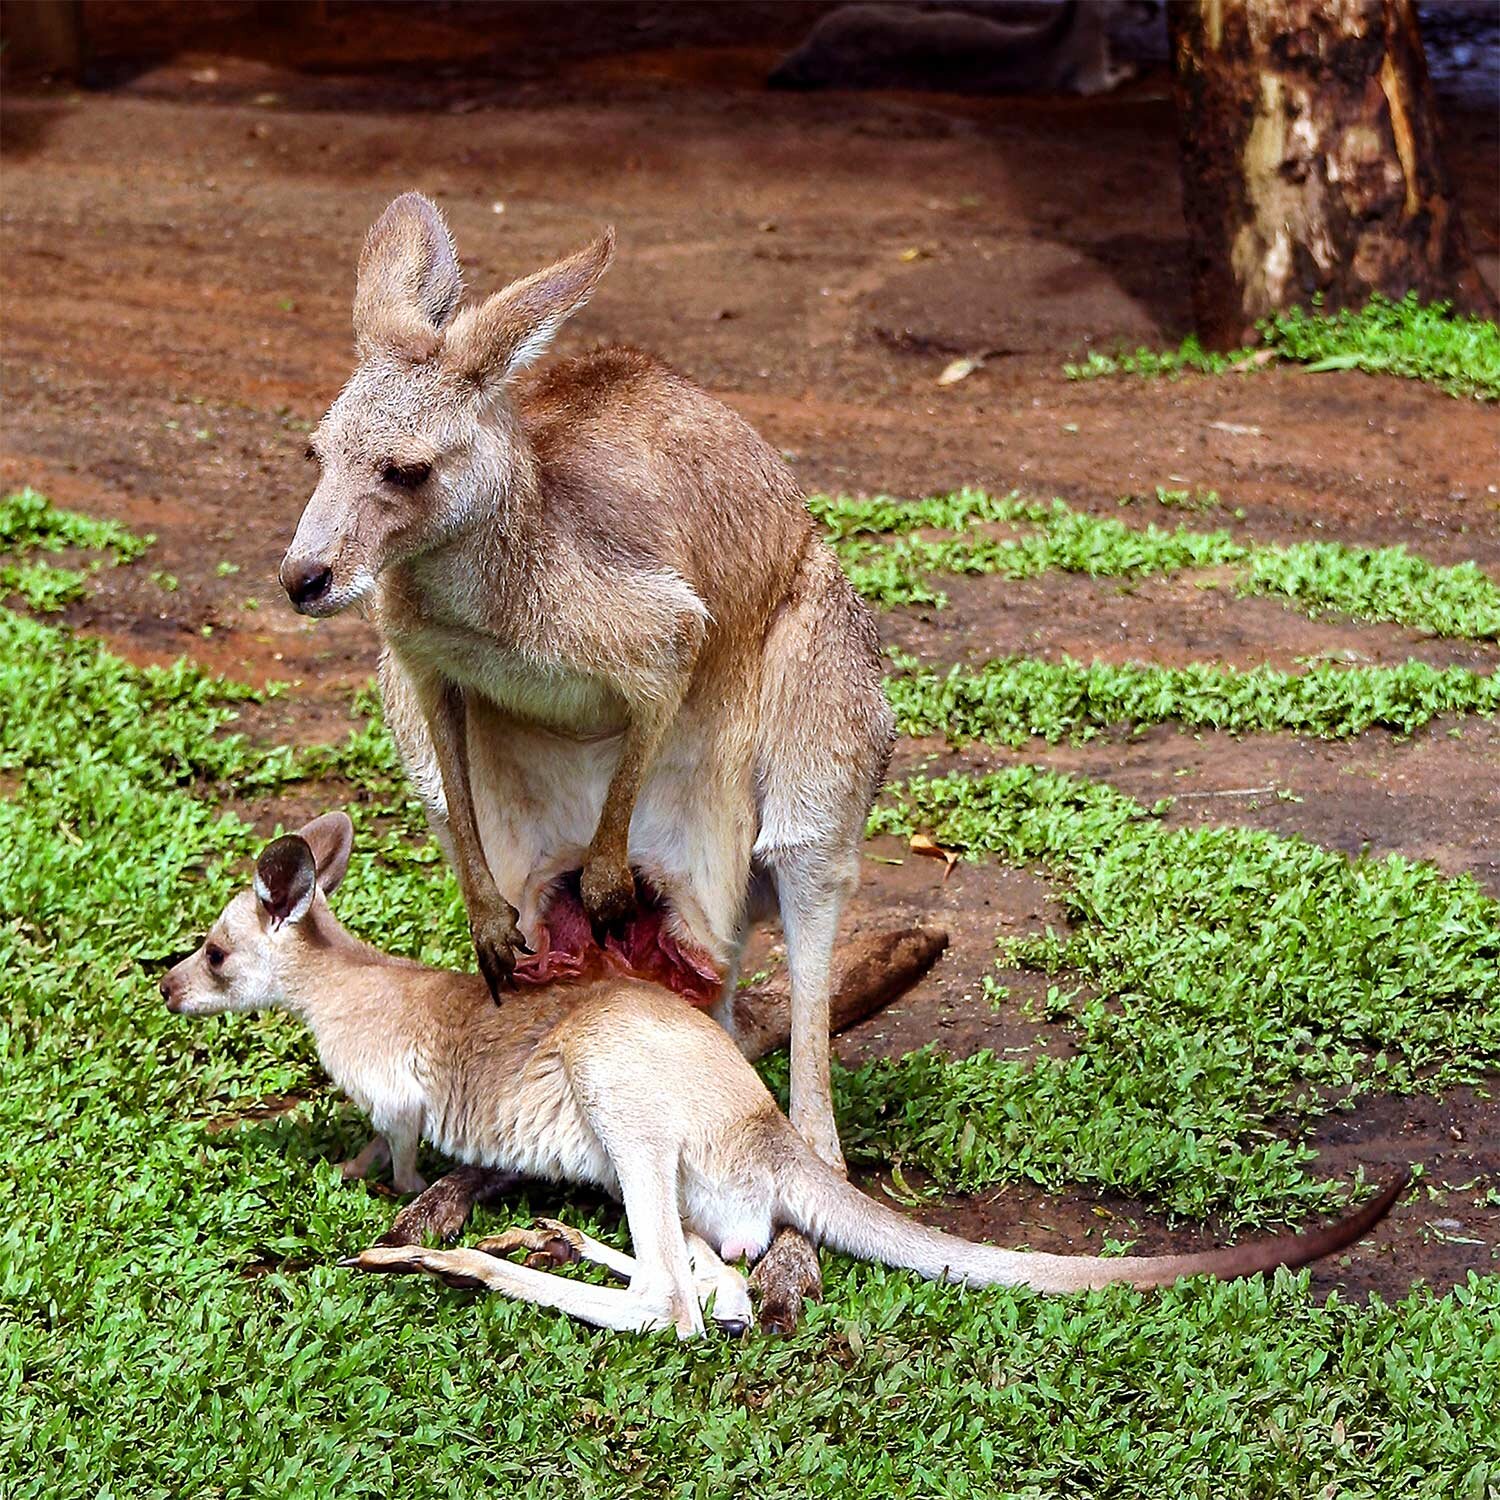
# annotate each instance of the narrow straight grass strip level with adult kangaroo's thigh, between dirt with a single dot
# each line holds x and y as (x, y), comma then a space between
(1015, 700)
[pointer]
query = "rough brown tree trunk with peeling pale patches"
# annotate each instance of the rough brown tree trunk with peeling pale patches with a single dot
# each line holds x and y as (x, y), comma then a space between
(1312, 161)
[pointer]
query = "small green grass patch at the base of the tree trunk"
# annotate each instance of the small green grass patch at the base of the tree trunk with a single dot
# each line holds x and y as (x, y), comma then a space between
(1460, 355)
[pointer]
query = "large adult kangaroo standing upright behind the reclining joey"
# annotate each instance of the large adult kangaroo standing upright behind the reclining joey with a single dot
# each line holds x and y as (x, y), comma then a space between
(638, 698)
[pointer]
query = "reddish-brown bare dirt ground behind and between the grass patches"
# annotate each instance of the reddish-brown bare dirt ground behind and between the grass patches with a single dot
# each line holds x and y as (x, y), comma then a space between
(178, 250)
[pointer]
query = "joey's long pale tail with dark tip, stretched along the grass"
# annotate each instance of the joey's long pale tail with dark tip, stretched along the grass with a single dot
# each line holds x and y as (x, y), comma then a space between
(838, 1214)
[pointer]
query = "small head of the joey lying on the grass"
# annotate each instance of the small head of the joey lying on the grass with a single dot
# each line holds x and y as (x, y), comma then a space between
(250, 961)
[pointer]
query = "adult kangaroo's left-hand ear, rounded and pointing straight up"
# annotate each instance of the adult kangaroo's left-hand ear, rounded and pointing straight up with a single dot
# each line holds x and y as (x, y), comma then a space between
(409, 281)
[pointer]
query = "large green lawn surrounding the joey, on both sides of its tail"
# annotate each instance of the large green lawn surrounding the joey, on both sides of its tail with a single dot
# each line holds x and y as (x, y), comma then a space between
(139, 1358)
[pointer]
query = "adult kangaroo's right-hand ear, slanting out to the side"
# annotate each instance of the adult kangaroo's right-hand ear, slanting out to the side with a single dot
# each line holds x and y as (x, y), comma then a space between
(515, 326)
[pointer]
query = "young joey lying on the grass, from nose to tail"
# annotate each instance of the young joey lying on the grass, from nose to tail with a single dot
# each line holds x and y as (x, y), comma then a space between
(607, 1082)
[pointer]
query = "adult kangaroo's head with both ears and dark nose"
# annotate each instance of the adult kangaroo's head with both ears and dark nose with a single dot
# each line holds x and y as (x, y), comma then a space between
(422, 443)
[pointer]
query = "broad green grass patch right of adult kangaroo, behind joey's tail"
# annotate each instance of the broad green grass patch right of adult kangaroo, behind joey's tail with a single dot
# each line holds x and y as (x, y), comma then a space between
(1252, 980)
